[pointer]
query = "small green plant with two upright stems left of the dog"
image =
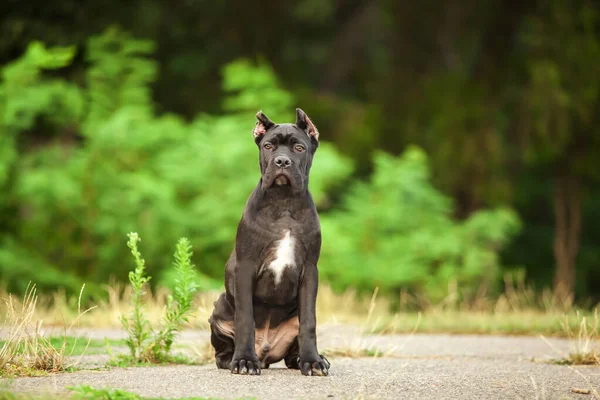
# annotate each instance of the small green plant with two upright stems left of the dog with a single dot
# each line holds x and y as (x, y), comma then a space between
(146, 345)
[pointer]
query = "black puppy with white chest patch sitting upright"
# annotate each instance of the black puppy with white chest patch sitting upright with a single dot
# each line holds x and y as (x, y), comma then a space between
(267, 312)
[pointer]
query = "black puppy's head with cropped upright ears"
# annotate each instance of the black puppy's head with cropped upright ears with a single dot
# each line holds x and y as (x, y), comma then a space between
(286, 151)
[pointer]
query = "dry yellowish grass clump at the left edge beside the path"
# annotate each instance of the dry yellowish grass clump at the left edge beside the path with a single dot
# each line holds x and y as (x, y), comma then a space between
(26, 350)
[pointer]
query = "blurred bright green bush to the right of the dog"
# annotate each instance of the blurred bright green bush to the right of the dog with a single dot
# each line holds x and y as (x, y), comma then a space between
(396, 231)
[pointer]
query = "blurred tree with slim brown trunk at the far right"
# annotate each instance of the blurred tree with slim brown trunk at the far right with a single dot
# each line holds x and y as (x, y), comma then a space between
(559, 117)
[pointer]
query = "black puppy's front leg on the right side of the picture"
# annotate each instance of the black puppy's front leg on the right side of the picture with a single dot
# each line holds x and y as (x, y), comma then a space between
(310, 361)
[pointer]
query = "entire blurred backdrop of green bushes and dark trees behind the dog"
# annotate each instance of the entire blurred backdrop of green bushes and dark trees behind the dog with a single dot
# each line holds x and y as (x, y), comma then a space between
(460, 138)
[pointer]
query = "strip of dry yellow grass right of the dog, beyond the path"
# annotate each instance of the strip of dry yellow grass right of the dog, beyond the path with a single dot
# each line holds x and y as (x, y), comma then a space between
(520, 310)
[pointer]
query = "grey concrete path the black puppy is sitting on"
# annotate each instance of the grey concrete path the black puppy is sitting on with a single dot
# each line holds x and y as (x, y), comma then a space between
(414, 367)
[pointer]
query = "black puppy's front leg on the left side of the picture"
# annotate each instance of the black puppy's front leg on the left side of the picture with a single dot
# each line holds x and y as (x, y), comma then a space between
(244, 359)
